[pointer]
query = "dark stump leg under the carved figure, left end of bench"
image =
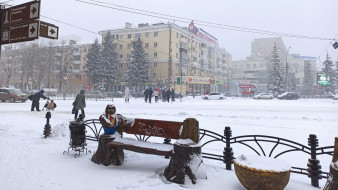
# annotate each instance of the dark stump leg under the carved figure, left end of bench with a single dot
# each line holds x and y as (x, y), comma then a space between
(108, 155)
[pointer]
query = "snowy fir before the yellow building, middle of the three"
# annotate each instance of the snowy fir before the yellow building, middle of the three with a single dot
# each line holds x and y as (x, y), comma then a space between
(110, 61)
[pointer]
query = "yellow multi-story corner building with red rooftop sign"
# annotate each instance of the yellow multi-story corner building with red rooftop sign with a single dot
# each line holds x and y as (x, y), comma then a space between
(173, 52)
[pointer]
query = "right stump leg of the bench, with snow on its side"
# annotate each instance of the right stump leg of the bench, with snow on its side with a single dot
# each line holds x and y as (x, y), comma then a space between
(186, 160)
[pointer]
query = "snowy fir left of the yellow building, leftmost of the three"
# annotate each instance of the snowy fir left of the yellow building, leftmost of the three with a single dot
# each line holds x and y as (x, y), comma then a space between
(94, 60)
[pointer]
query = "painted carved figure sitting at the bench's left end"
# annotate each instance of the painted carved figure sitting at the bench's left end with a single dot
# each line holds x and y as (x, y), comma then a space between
(109, 120)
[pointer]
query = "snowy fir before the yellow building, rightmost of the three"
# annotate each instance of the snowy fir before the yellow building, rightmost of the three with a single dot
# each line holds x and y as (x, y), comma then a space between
(138, 65)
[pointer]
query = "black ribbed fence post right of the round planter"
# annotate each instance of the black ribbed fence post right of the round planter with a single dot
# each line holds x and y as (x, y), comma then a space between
(314, 167)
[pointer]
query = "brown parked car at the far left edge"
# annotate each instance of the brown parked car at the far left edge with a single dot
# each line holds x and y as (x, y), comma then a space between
(12, 95)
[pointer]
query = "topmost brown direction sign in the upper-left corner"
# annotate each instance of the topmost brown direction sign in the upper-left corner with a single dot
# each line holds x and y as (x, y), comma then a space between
(21, 13)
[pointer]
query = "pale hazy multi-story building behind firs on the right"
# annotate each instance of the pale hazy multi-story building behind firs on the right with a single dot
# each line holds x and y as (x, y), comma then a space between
(254, 70)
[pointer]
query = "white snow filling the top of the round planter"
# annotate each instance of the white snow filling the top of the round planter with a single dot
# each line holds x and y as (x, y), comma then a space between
(263, 163)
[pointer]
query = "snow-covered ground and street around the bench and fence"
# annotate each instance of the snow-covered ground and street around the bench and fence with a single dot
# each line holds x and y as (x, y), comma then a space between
(29, 161)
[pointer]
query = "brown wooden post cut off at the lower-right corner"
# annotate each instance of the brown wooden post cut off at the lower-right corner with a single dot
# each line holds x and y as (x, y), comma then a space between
(332, 181)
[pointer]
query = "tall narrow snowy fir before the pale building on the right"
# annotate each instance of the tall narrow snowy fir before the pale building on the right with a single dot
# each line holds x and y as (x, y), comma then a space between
(276, 81)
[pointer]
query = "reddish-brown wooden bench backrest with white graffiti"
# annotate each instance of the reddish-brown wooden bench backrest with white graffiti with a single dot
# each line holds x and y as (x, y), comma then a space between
(189, 128)
